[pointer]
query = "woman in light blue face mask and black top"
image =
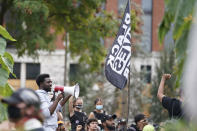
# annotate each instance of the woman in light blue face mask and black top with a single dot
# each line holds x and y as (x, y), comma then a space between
(98, 113)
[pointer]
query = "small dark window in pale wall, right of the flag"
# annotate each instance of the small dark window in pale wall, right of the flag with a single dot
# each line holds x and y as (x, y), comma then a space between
(146, 73)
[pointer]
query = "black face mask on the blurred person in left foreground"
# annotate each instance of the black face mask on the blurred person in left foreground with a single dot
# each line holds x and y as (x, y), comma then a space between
(14, 112)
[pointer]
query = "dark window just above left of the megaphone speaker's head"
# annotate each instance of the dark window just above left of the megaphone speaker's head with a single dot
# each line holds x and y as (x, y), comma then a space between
(32, 70)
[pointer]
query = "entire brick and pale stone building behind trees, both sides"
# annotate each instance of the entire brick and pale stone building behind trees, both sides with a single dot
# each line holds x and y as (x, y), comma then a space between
(26, 69)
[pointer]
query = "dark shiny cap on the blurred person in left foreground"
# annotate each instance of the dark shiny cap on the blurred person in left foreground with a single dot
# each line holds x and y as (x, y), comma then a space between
(26, 95)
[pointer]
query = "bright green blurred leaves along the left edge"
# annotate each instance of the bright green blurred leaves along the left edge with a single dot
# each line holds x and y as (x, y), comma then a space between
(6, 67)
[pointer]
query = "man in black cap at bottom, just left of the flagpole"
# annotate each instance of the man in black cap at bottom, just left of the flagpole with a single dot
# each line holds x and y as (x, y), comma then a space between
(108, 123)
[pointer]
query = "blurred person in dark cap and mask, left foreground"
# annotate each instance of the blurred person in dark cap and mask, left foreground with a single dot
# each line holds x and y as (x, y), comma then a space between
(24, 110)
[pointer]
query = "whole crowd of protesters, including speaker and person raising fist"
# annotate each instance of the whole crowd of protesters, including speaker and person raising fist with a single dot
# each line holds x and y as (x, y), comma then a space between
(31, 110)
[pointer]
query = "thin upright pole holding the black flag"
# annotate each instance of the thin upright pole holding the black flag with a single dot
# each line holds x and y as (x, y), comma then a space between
(128, 99)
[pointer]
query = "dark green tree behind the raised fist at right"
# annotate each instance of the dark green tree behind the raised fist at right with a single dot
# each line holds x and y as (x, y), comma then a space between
(166, 65)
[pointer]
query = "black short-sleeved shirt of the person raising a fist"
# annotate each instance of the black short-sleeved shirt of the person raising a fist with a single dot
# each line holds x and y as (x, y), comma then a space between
(174, 107)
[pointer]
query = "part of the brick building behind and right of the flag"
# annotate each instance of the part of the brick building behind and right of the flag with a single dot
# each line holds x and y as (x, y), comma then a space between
(153, 11)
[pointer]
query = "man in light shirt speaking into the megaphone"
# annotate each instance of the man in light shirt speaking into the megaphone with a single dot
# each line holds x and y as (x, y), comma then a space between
(49, 108)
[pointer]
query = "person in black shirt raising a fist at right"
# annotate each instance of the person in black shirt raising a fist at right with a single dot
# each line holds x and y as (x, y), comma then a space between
(173, 105)
